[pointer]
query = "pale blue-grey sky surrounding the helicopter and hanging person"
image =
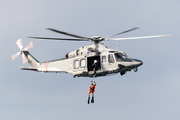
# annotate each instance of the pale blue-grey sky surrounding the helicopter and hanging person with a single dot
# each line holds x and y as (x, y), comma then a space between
(151, 93)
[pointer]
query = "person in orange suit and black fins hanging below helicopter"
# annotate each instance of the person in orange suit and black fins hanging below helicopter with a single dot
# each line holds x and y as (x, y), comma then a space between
(91, 90)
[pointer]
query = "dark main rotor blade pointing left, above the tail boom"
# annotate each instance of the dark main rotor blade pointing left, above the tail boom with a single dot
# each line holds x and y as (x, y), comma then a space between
(59, 39)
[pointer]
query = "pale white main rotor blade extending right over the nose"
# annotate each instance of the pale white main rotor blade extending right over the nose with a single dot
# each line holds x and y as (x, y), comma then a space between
(137, 37)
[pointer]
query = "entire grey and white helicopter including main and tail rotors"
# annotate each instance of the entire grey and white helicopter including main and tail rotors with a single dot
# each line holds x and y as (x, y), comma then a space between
(80, 62)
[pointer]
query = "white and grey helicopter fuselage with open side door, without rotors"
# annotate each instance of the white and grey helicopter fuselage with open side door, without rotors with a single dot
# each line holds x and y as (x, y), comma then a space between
(79, 62)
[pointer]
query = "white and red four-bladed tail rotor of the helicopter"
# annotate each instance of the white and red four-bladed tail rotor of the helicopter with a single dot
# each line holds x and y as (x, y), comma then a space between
(20, 45)
